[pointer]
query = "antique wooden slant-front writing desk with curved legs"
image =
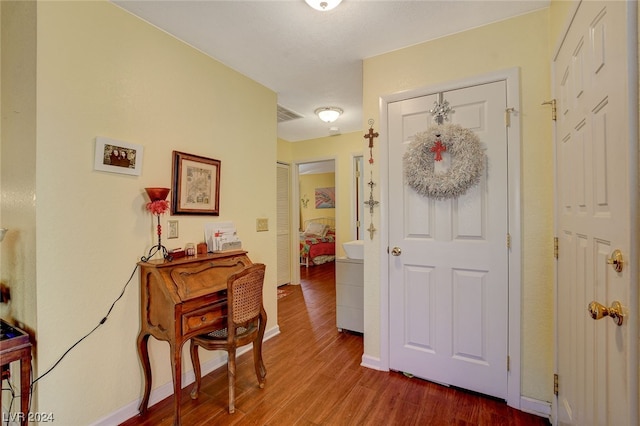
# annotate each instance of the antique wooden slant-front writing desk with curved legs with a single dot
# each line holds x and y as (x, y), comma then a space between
(179, 300)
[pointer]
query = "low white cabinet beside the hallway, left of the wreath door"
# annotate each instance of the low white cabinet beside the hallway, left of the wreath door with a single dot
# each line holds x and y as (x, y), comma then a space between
(350, 294)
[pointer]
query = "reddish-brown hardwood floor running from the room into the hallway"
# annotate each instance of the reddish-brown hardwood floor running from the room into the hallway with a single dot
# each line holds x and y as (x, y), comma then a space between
(314, 377)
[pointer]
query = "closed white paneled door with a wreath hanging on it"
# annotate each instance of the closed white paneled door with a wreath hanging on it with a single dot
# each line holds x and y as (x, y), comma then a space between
(448, 238)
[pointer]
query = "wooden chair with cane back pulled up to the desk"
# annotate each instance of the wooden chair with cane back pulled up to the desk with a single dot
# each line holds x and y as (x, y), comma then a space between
(245, 323)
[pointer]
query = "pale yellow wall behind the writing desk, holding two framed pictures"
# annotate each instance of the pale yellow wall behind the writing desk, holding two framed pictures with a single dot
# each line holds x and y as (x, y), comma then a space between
(103, 72)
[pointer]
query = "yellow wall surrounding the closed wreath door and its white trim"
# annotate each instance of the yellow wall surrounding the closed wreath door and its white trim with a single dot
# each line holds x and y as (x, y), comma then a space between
(499, 46)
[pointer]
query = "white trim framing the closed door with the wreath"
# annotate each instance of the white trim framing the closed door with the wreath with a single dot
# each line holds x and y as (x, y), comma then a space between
(512, 78)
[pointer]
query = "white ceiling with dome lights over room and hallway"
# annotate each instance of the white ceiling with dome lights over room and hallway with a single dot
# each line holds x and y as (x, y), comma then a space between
(313, 59)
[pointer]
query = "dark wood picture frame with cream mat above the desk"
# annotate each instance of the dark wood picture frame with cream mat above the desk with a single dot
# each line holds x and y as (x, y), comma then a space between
(195, 186)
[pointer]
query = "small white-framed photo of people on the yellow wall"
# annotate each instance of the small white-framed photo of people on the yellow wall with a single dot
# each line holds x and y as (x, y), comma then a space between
(116, 156)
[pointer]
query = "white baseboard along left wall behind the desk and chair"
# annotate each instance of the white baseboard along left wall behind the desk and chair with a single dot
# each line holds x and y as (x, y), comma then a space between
(158, 394)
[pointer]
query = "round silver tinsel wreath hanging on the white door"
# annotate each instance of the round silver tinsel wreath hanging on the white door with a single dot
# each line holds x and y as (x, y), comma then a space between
(467, 162)
